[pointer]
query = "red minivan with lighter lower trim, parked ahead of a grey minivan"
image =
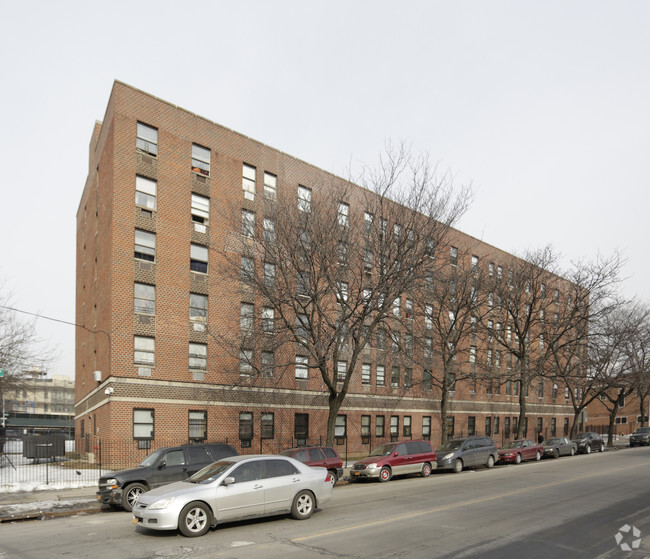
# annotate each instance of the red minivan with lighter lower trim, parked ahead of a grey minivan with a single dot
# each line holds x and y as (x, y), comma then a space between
(403, 457)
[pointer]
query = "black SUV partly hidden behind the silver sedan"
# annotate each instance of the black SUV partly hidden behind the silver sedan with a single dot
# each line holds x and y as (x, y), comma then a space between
(165, 465)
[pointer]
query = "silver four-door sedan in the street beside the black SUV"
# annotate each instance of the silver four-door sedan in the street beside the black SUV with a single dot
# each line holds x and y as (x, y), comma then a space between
(235, 488)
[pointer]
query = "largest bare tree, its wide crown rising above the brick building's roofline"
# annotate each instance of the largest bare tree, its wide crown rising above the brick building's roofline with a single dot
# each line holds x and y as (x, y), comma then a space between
(334, 265)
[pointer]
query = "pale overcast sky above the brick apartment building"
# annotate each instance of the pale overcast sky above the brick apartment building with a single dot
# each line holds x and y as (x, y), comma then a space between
(541, 106)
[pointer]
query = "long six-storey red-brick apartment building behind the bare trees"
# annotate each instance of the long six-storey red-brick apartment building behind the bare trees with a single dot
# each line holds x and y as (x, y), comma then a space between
(148, 370)
